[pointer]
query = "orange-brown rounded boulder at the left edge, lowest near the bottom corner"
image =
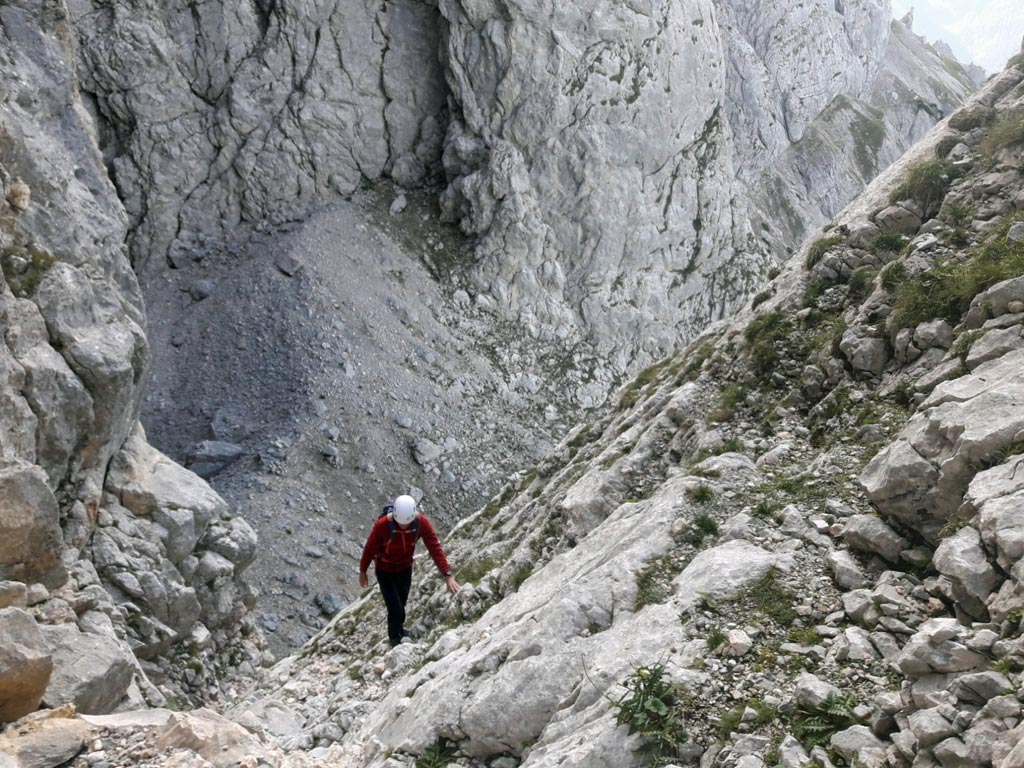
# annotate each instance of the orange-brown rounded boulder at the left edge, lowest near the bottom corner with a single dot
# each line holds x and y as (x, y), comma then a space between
(25, 665)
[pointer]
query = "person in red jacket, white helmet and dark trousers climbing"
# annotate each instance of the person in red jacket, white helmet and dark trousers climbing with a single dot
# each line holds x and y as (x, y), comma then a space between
(391, 547)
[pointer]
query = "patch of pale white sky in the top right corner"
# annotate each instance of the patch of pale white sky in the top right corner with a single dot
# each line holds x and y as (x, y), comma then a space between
(987, 32)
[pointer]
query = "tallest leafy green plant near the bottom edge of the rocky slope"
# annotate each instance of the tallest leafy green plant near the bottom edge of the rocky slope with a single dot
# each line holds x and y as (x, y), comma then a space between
(651, 708)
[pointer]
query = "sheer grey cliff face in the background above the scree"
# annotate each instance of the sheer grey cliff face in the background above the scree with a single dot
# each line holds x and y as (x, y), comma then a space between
(604, 167)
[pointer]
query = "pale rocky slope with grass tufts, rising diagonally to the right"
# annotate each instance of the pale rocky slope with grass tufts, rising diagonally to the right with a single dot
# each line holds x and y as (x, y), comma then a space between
(801, 536)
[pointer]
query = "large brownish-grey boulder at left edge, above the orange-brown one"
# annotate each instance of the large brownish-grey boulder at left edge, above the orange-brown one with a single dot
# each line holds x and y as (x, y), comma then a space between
(31, 542)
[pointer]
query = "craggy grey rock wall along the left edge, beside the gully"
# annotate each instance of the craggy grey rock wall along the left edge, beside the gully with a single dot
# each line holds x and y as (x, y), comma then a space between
(74, 362)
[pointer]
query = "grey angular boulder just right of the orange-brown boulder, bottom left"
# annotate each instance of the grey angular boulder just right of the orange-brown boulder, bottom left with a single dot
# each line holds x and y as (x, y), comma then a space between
(93, 672)
